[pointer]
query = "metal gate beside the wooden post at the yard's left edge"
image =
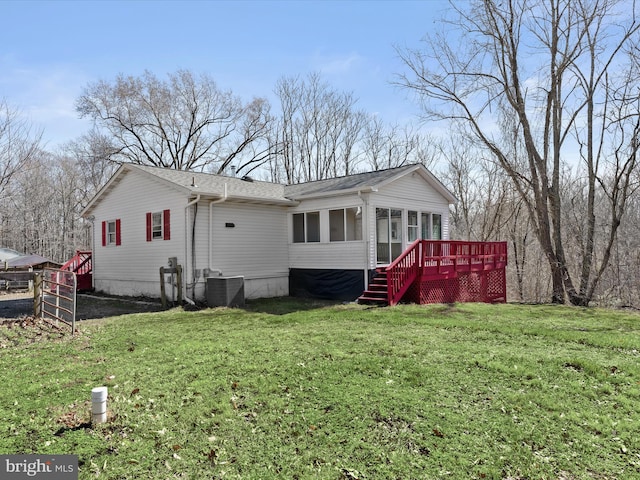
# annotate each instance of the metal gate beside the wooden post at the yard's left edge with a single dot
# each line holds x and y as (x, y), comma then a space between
(55, 296)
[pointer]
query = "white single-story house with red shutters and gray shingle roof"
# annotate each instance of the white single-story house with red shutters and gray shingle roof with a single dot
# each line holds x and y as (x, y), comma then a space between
(319, 238)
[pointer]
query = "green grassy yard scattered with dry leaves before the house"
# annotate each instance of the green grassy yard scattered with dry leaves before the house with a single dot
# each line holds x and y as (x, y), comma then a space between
(294, 390)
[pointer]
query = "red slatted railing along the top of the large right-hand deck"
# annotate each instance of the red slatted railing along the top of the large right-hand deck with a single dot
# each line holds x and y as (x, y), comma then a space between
(440, 260)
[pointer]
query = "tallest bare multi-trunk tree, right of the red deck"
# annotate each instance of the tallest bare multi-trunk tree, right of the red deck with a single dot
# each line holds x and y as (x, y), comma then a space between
(549, 65)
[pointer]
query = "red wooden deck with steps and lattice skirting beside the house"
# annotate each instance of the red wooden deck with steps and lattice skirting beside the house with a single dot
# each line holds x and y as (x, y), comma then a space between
(443, 271)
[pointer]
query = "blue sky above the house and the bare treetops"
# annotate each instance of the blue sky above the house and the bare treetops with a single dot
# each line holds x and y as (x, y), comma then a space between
(50, 50)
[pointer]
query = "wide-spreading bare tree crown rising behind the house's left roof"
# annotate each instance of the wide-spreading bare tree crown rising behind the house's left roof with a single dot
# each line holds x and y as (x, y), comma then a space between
(185, 122)
